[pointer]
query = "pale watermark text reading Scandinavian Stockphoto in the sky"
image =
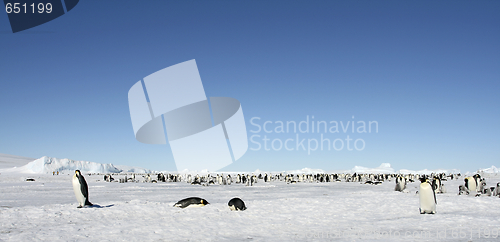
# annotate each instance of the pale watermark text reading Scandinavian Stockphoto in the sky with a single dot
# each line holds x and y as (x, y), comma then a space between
(318, 132)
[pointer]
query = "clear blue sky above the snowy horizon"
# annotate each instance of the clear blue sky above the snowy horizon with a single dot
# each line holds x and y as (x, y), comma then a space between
(428, 72)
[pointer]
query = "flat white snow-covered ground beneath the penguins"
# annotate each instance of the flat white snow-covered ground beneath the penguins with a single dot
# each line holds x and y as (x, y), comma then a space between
(46, 209)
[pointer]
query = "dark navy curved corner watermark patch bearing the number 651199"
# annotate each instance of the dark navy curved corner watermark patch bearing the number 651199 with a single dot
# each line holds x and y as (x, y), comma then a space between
(28, 14)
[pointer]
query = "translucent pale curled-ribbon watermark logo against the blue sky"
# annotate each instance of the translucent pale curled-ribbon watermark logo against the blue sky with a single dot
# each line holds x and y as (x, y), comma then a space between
(202, 133)
